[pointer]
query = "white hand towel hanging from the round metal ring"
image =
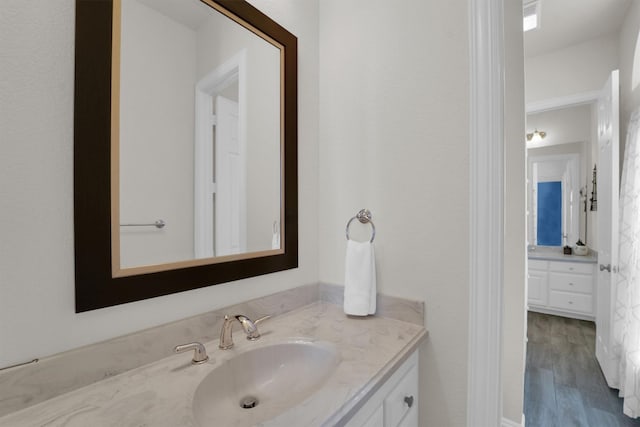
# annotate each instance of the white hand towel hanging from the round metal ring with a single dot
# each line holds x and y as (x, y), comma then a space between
(360, 279)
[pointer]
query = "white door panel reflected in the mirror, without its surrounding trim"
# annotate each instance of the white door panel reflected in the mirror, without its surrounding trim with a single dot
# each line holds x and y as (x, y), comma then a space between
(230, 198)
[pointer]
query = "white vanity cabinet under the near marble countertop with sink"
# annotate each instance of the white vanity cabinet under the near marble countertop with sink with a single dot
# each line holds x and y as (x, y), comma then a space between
(395, 403)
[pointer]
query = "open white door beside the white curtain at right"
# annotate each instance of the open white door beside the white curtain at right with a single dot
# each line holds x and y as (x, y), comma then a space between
(607, 194)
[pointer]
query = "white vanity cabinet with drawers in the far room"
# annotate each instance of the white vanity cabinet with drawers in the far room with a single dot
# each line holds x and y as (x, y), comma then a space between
(565, 288)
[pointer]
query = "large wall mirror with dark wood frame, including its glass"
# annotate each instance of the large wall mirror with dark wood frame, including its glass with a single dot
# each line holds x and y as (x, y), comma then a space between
(185, 147)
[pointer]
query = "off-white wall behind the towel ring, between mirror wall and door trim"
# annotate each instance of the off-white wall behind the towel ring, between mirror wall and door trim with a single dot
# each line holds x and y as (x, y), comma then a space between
(394, 138)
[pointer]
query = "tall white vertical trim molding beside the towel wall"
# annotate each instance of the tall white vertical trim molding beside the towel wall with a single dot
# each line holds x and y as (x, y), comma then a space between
(486, 43)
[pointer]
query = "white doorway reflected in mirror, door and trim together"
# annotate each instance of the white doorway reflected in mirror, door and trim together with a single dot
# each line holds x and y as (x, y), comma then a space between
(220, 160)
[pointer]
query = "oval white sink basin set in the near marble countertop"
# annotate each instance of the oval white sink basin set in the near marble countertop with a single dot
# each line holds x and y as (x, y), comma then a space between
(275, 377)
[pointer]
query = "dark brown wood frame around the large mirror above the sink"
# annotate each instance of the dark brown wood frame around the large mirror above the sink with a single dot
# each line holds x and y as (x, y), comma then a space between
(94, 284)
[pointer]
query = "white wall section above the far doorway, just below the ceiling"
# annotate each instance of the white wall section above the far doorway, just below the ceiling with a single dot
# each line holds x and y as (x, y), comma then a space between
(580, 68)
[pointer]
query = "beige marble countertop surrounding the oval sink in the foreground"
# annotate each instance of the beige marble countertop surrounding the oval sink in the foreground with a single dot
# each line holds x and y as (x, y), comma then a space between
(161, 393)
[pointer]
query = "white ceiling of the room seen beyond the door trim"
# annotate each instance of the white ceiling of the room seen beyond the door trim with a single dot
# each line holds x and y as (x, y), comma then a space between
(567, 22)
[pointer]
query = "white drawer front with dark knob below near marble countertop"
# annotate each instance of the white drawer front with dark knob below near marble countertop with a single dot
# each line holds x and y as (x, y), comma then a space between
(402, 399)
